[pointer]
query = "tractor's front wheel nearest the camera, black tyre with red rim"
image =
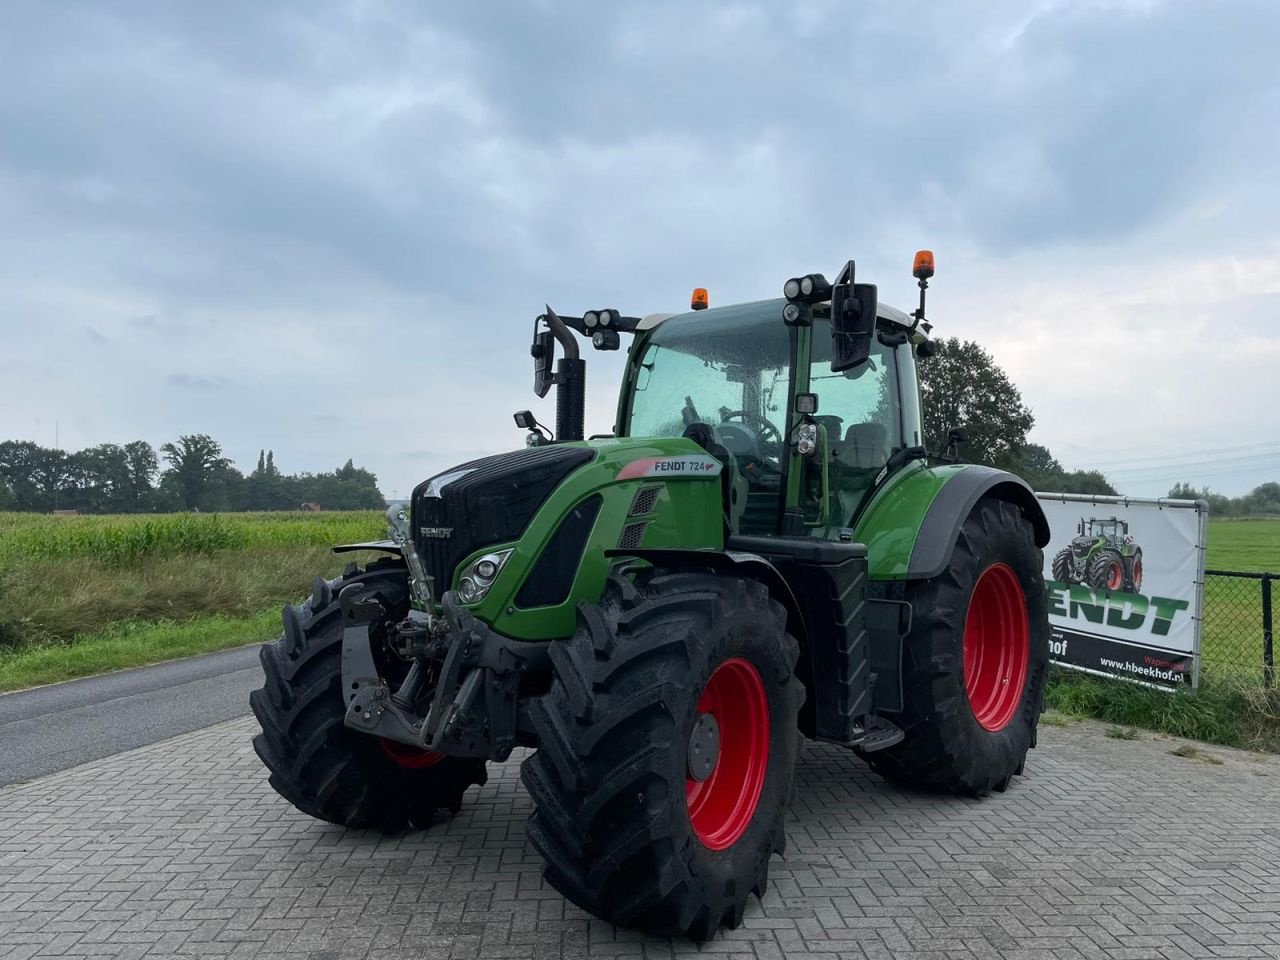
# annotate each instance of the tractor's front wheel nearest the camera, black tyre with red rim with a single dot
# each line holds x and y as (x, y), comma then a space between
(627, 830)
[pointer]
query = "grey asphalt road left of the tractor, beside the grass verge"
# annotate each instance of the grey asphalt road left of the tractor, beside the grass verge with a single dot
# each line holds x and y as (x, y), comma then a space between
(54, 728)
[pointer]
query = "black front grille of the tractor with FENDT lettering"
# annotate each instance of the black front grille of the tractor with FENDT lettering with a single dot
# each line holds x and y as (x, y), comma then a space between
(488, 501)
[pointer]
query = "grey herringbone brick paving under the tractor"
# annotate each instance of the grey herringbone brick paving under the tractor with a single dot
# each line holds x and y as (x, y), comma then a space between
(1108, 849)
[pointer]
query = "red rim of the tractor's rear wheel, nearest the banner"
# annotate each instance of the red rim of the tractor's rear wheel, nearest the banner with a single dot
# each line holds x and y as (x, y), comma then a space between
(996, 647)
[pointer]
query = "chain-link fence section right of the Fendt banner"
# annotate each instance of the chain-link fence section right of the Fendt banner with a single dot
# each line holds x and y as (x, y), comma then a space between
(1237, 638)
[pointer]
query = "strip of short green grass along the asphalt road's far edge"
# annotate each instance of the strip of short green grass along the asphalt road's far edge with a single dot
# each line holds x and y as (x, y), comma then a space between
(132, 644)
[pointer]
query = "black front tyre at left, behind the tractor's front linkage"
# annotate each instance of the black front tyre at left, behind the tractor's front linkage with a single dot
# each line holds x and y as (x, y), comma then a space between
(318, 764)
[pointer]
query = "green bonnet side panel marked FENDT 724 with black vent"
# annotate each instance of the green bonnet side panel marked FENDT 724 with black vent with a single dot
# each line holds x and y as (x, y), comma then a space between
(618, 501)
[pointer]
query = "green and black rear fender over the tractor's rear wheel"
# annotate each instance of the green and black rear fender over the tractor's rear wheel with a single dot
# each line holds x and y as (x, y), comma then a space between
(912, 525)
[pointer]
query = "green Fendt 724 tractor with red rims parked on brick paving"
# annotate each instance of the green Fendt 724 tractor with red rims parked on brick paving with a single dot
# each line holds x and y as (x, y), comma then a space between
(762, 551)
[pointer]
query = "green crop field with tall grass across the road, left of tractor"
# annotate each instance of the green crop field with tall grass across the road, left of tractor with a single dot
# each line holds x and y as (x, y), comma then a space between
(80, 596)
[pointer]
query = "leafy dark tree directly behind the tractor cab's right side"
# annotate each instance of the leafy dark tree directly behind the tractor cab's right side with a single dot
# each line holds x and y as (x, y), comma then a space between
(962, 386)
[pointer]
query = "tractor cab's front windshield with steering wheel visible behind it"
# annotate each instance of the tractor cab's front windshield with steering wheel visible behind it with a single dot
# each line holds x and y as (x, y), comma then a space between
(728, 369)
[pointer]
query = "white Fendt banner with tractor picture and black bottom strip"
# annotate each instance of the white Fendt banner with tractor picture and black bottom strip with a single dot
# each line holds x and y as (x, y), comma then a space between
(1126, 586)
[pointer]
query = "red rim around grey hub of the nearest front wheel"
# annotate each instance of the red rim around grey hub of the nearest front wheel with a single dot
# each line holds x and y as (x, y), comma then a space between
(723, 806)
